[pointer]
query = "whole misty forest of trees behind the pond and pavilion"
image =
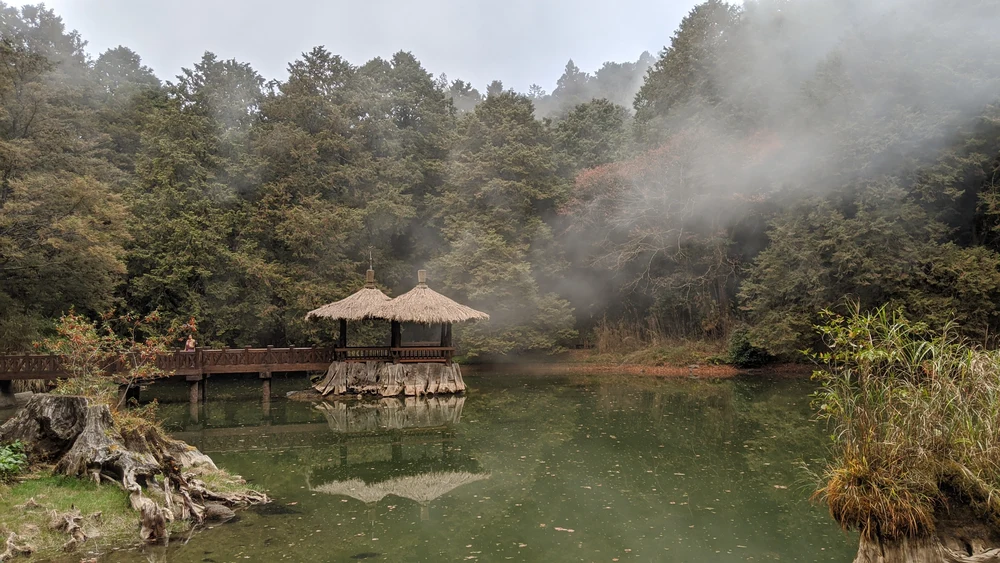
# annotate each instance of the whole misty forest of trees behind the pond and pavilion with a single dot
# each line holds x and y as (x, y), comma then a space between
(771, 160)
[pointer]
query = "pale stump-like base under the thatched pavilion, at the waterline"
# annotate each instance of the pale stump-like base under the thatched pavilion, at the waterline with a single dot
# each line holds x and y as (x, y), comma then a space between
(391, 380)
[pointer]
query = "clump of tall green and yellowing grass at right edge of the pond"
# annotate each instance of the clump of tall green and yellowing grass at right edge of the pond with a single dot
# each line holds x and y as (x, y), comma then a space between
(915, 414)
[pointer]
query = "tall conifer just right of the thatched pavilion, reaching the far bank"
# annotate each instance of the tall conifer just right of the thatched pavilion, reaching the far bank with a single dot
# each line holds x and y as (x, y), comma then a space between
(501, 188)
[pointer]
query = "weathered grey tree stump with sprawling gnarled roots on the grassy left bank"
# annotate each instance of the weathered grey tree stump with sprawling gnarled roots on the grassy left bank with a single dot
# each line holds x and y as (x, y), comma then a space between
(79, 436)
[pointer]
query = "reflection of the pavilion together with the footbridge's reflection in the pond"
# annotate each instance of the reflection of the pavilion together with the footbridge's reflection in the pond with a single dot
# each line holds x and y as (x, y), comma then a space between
(402, 447)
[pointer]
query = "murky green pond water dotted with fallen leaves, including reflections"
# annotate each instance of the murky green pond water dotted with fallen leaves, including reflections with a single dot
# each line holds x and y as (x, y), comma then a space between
(521, 468)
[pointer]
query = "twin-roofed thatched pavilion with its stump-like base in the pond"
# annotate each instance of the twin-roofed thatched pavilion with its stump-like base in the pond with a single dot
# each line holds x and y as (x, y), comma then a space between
(377, 369)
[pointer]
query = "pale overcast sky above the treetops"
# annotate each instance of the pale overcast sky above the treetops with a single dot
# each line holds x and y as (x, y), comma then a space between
(517, 41)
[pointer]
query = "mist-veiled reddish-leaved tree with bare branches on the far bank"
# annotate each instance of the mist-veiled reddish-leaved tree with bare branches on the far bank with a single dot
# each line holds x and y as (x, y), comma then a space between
(668, 225)
